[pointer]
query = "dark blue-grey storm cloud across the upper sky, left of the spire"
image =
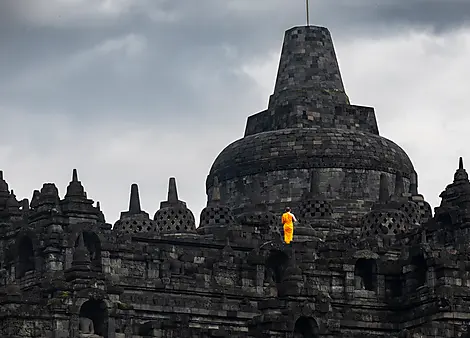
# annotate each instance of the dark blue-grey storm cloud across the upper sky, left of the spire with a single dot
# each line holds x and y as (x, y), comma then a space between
(189, 50)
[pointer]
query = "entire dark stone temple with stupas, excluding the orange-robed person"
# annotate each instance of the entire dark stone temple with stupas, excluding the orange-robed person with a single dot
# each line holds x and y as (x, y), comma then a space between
(369, 258)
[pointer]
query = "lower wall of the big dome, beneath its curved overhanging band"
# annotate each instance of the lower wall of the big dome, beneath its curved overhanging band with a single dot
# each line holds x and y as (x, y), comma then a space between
(336, 184)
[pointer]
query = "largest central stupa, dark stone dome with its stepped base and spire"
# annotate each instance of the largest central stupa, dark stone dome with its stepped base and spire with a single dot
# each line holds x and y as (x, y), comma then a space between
(309, 124)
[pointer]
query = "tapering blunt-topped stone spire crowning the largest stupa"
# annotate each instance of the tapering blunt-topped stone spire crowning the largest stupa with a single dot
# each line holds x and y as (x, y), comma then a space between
(309, 66)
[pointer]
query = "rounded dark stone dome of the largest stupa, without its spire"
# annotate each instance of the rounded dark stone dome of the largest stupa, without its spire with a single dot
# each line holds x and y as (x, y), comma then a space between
(351, 163)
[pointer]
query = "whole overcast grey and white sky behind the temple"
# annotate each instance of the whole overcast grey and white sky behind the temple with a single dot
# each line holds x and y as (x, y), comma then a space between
(140, 90)
